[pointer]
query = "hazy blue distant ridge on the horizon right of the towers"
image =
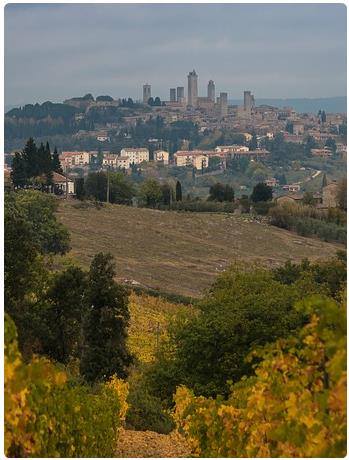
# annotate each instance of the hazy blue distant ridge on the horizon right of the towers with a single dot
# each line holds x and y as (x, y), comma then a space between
(305, 105)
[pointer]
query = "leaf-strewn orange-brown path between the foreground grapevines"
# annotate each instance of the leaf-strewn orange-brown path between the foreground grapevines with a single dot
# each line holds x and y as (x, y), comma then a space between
(143, 444)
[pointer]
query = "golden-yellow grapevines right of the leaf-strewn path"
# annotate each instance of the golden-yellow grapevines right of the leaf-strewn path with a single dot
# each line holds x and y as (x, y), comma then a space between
(294, 406)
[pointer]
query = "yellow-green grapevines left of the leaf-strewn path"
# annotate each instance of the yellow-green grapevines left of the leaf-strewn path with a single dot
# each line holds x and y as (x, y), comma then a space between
(46, 415)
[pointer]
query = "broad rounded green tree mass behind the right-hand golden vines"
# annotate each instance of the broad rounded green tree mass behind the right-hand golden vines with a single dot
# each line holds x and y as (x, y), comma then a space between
(244, 309)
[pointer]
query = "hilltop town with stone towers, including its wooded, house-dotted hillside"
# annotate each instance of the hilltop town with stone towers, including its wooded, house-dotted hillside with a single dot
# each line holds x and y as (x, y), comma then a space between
(199, 140)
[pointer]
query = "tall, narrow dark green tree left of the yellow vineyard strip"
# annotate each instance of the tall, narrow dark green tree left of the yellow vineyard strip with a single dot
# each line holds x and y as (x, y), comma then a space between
(104, 351)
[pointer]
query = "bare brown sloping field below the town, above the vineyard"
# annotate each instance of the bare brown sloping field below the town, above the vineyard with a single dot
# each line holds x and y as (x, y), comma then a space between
(179, 252)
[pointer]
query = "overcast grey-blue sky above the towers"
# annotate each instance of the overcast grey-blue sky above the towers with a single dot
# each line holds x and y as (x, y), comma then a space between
(57, 51)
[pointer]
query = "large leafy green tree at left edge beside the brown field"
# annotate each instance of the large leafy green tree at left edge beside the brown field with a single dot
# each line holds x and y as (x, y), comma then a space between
(31, 230)
